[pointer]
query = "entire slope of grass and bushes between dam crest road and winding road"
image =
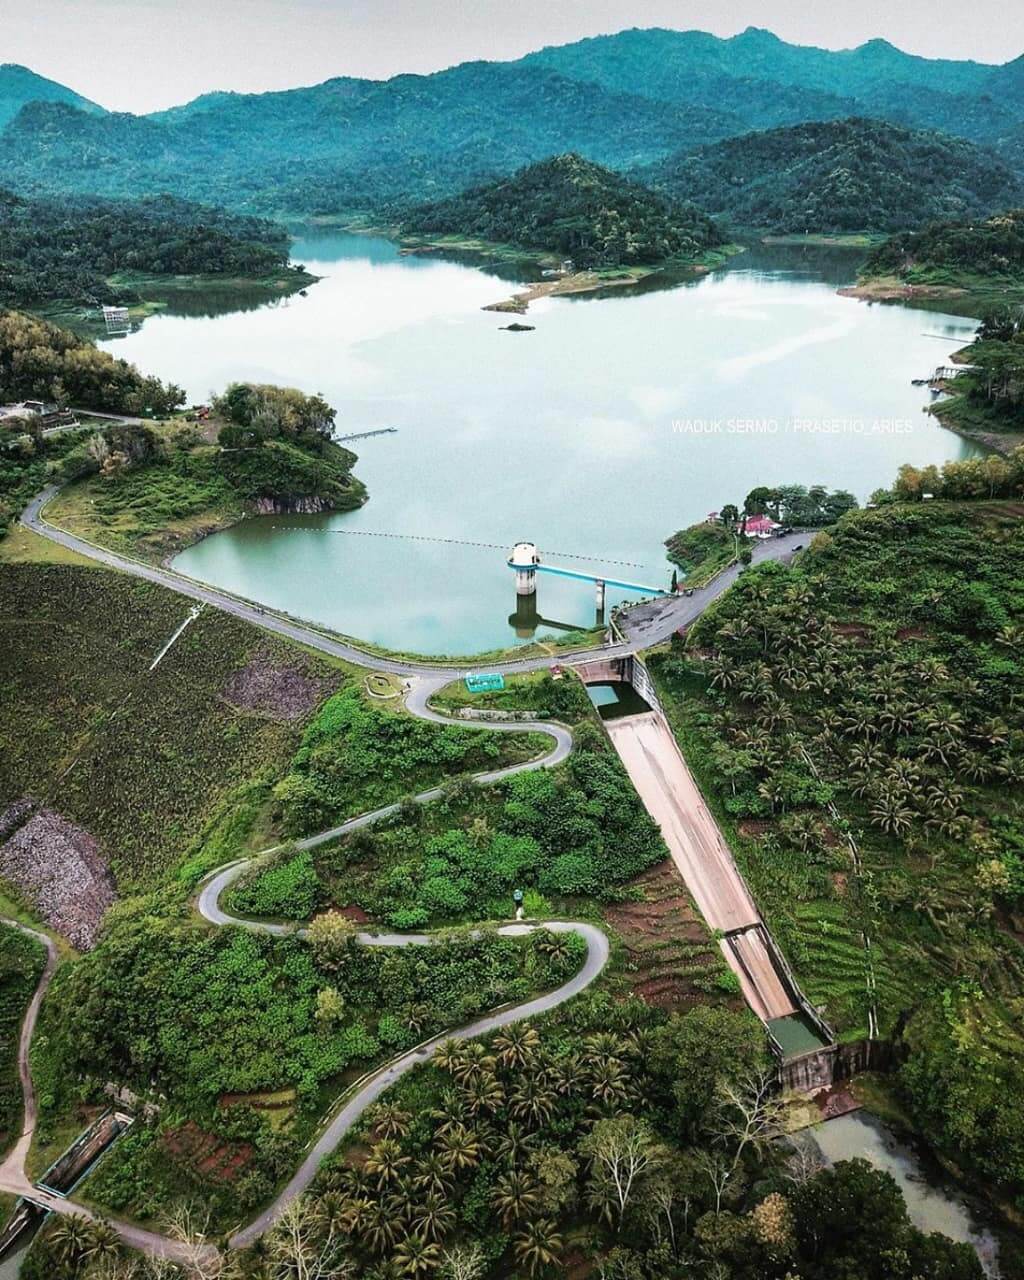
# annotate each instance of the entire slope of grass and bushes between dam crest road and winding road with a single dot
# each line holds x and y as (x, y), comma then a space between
(83, 712)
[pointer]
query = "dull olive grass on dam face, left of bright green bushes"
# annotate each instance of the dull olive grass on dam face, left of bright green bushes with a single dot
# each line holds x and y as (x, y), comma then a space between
(150, 764)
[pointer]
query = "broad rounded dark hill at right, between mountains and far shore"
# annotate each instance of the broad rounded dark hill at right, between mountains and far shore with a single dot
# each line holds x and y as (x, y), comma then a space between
(842, 176)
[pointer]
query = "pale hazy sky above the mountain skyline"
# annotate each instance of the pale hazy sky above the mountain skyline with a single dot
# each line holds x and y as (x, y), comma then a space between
(139, 56)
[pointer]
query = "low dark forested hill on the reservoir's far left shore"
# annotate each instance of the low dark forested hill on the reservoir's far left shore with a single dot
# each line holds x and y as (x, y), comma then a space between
(68, 248)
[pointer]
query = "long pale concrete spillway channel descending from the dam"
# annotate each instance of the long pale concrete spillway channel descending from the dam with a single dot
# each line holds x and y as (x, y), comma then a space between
(657, 769)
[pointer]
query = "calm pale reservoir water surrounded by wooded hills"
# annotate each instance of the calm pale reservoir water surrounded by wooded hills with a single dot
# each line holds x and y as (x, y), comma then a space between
(619, 420)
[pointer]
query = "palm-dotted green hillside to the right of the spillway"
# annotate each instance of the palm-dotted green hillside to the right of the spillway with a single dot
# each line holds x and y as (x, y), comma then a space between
(857, 723)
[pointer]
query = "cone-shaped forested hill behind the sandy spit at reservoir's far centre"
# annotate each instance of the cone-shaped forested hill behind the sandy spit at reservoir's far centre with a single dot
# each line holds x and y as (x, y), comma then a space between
(577, 209)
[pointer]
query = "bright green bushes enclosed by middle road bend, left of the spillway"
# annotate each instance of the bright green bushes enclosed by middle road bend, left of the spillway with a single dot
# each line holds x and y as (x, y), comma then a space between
(575, 834)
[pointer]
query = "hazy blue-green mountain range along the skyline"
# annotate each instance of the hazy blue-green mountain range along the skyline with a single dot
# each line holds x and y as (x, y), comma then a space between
(629, 102)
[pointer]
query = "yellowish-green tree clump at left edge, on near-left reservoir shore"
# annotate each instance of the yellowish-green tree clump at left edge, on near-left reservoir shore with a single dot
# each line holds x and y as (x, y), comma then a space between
(42, 362)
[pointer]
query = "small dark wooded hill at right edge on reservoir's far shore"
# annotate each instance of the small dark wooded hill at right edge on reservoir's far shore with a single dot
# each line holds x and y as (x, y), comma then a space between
(994, 248)
